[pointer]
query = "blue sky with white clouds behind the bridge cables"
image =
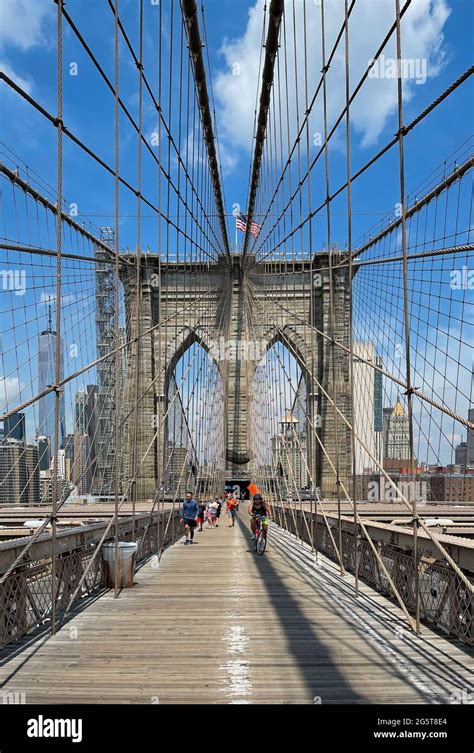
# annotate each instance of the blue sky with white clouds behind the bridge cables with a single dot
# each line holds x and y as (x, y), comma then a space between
(436, 31)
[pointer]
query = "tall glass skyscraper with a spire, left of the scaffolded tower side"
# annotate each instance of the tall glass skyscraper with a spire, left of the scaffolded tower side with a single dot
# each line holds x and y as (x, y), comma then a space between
(46, 377)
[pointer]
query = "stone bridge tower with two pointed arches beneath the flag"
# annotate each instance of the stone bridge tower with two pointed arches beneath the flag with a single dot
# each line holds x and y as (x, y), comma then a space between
(226, 309)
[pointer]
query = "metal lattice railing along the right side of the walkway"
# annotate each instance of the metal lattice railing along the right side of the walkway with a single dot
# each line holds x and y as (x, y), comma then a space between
(445, 600)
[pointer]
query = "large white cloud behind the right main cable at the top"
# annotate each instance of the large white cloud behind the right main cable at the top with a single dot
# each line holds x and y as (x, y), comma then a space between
(236, 95)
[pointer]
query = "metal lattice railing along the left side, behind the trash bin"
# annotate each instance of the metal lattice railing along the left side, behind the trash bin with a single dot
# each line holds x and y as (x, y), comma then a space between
(25, 595)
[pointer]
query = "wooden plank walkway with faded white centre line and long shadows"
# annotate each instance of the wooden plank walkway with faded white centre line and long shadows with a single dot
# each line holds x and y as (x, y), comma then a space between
(217, 624)
